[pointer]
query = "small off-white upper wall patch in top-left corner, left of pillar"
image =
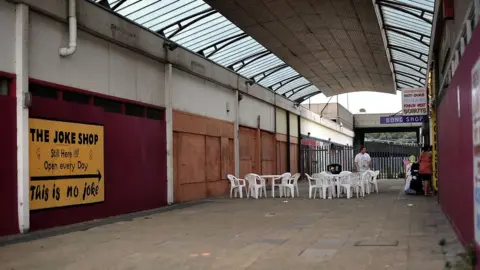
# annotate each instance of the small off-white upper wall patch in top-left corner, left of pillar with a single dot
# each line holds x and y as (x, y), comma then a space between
(7, 37)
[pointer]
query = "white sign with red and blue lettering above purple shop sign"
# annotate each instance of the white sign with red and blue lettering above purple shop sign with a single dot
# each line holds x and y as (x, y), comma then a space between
(414, 101)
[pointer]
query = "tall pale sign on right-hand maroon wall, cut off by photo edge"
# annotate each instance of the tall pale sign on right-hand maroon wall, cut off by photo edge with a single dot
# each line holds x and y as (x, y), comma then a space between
(476, 146)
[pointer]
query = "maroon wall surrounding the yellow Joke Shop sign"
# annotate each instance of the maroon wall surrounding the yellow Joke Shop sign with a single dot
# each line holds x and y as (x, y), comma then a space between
(135, 163)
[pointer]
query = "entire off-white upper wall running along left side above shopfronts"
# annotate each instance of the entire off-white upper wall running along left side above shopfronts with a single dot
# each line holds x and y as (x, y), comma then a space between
(128, 62)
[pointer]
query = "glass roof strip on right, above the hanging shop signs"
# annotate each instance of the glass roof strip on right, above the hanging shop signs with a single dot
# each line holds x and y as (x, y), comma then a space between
(408, 26)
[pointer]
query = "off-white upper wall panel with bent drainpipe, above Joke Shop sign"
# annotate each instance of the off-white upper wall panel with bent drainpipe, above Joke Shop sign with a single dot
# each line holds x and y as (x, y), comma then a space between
(97, 65)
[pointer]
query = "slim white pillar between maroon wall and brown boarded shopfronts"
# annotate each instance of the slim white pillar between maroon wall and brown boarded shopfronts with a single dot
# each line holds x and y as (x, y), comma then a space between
(169, 135)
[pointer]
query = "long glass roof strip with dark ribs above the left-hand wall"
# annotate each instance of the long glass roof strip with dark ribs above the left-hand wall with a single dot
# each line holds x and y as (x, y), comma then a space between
(194, 25)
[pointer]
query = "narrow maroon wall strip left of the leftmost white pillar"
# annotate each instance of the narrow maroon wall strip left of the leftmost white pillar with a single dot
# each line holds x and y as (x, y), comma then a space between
(8, 167)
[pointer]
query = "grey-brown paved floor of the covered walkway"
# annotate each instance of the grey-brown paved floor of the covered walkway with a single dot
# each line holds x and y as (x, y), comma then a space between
(387, 230)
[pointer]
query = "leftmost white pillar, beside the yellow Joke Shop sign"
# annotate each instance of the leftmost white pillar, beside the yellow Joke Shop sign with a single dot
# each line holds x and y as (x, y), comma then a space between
(21, 70)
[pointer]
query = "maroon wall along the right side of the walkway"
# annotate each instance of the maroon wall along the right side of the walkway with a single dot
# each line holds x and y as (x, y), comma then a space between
(455, 146)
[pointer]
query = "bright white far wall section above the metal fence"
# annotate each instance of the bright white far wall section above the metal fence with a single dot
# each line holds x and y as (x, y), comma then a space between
(324, 133)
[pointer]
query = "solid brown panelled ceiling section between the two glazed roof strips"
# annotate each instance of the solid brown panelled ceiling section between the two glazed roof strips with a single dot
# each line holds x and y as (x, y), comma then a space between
(335, 44)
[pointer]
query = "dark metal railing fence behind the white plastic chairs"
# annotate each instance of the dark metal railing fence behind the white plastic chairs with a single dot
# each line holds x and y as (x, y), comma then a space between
(386, 157)
